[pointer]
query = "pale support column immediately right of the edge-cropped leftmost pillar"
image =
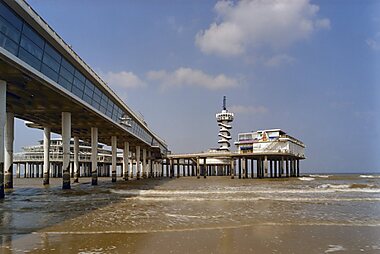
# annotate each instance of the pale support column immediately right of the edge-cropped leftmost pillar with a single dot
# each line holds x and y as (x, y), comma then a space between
(8, 146)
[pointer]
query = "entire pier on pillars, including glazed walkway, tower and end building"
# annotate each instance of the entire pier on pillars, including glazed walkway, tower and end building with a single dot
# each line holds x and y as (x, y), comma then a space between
(46, 84)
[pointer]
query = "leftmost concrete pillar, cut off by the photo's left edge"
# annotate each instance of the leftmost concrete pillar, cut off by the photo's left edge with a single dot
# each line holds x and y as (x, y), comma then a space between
(3, 106)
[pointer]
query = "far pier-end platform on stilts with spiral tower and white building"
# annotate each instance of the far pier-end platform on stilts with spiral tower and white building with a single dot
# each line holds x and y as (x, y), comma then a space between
(263, 153)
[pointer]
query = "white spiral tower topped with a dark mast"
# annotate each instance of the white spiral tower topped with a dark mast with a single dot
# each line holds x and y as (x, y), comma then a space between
(224, 119)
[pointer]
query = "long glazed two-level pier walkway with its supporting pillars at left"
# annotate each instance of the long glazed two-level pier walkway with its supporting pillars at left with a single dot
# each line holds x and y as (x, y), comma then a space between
(44, 81)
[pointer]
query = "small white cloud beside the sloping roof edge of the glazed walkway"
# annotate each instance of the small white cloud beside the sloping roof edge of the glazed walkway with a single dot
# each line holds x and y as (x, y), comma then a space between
(123, 79)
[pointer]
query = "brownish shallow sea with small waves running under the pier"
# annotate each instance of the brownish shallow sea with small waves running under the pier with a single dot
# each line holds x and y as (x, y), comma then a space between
(316, 213)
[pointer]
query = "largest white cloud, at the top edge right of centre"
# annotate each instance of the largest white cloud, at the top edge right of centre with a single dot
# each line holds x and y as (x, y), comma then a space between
(254, 23)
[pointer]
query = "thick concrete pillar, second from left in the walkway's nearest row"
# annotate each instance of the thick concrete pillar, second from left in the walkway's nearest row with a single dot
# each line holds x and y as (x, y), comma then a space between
(66, 136)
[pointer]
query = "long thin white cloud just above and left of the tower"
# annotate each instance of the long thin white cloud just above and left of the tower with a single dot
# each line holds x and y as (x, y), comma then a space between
(190, 77)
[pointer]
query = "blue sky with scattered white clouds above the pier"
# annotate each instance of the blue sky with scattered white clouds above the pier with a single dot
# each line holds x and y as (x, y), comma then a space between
(308, 67)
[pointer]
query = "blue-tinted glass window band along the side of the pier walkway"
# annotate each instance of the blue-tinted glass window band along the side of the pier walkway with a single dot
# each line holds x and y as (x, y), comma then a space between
(21, 40)
